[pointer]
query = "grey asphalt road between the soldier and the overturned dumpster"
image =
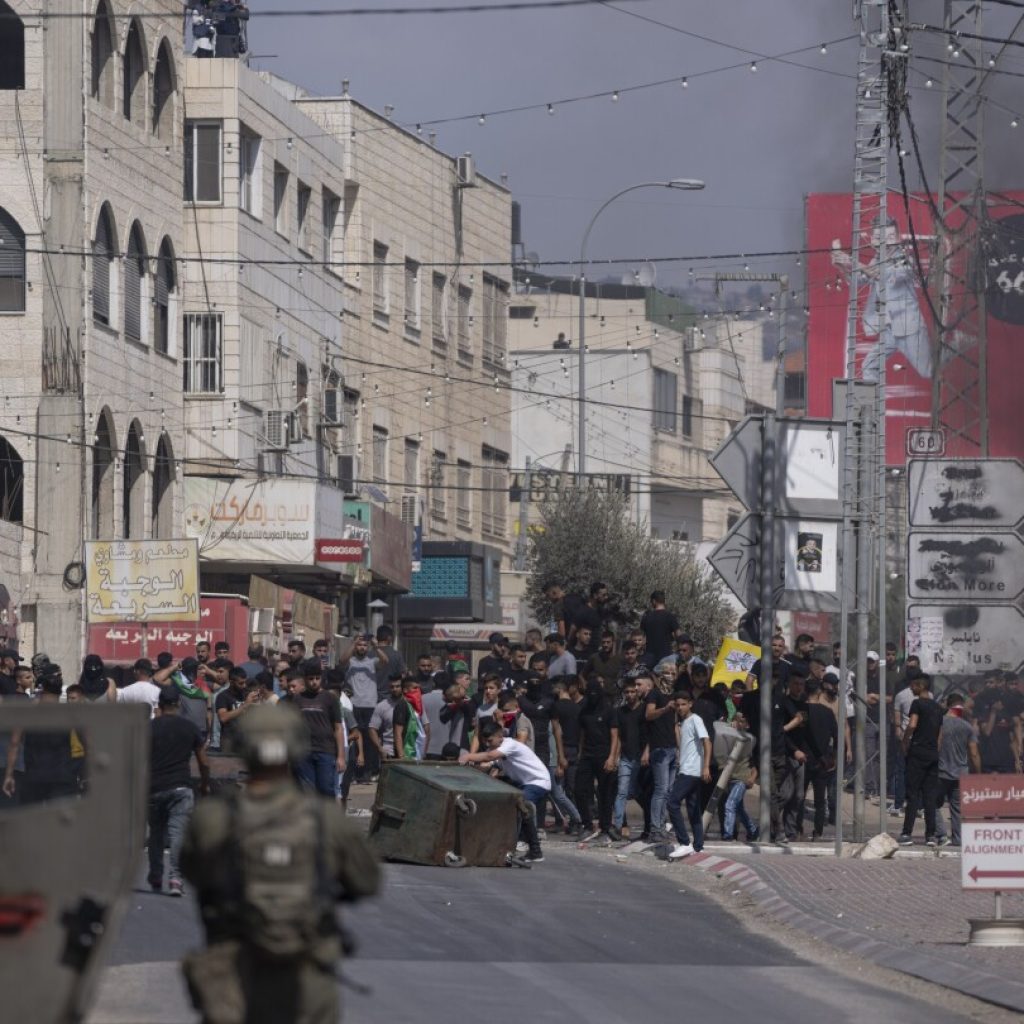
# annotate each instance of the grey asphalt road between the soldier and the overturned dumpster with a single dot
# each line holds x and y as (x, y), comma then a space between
(572, 941)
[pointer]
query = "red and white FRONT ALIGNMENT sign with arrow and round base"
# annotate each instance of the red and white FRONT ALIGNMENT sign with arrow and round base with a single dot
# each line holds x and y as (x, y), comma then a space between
(993, 851)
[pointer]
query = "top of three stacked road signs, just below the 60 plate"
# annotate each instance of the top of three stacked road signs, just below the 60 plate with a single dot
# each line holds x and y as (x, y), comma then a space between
(986, 494)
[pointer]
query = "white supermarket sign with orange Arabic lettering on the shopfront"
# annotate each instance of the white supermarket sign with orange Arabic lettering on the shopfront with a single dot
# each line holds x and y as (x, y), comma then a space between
(248, 521)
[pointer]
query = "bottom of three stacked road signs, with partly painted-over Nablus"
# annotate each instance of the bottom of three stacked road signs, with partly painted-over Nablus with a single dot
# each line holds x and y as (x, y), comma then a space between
(955, 639)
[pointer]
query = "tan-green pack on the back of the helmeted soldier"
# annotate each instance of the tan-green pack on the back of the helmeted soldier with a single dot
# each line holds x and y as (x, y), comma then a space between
(284, 898)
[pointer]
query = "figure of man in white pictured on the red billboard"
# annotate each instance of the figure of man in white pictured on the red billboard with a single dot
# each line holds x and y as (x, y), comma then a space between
(903, 327)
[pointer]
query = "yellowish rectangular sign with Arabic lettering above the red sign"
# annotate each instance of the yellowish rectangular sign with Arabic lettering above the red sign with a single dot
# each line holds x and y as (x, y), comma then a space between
(142, 581)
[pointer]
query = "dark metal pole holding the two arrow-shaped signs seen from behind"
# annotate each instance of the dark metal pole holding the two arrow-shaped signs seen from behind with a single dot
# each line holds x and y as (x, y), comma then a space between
(767, 616)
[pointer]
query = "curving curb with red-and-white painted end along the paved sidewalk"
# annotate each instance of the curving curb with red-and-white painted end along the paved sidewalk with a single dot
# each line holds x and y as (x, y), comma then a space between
(963, 978)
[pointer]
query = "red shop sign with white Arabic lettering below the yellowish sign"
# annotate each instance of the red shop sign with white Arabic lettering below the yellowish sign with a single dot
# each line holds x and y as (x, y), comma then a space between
(221, 619)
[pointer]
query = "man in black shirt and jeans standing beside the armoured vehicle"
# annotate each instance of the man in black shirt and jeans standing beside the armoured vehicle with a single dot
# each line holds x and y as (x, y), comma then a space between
(175, 742)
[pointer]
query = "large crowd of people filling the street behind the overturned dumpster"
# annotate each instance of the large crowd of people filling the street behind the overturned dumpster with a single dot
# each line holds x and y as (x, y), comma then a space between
(595, 726)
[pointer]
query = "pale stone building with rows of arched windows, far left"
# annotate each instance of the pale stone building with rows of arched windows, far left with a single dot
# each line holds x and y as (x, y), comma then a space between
(91, 283)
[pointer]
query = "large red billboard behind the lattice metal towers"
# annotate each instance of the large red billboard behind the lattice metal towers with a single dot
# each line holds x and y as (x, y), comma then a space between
(907, 336)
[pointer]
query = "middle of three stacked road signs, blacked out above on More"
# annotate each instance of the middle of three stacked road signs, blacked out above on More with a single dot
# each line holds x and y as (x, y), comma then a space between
(978, 567)
